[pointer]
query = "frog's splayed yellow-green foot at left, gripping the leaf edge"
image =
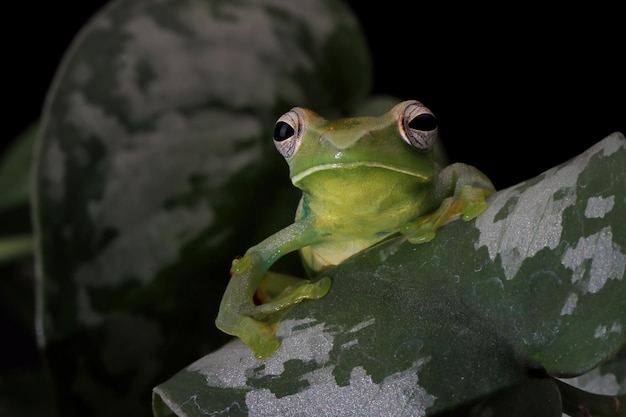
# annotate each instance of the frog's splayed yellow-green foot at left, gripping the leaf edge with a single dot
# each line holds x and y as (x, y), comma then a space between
(256, 324)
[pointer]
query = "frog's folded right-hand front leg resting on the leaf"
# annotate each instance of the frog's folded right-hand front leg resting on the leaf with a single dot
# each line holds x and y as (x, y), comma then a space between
(463, 192)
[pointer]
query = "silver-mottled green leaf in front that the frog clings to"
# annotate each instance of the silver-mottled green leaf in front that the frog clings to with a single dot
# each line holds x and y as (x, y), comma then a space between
(533, 288)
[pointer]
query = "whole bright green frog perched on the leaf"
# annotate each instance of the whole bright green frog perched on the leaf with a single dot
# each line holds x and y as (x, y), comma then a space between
(362, 180)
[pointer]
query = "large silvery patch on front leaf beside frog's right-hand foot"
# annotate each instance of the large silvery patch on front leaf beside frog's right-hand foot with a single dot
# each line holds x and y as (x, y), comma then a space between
(533, 214)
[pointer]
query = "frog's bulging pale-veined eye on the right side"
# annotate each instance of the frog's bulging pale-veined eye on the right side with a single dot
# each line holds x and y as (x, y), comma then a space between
(418, 126)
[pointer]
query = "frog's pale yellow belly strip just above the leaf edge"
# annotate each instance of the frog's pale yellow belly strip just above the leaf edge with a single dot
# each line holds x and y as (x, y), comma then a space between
(321, 257)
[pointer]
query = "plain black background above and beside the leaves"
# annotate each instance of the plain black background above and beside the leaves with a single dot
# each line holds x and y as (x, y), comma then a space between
(516, 90)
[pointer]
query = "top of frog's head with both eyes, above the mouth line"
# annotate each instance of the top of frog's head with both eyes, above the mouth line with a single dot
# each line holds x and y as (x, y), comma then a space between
(400, 141)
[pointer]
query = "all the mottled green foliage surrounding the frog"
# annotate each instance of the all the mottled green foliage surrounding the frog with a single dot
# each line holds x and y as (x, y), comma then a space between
(154, 168)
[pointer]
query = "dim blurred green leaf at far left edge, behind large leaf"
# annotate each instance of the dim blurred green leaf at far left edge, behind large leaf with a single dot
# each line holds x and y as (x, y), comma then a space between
(15, 170)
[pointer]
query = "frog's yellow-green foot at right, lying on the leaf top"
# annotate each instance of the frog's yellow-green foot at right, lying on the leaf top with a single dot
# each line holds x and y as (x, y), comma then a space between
(469, 202)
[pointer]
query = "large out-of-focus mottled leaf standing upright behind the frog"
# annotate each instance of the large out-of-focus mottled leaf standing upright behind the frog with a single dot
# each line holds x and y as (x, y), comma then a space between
(155, 168)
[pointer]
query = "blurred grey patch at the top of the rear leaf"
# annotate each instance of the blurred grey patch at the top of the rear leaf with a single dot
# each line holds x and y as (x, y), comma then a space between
(228, 61)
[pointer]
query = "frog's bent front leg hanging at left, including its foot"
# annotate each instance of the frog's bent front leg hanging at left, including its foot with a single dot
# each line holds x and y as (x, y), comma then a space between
(256, 324)
